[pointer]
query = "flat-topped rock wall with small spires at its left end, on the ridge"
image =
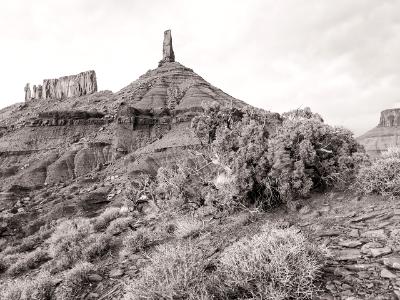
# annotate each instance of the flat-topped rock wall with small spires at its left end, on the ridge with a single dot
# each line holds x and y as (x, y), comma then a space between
(84, 83)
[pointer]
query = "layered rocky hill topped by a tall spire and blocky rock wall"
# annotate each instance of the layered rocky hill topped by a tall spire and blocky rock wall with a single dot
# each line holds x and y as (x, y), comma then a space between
(69, 130)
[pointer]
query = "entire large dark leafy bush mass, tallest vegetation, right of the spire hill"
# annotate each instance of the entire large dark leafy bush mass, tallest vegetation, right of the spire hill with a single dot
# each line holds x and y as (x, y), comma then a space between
(268, 159)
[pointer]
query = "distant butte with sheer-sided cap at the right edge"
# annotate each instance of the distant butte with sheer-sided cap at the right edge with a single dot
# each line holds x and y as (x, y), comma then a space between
(383, 136)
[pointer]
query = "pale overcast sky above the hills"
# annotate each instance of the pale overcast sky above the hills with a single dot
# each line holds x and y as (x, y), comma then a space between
(339, 57)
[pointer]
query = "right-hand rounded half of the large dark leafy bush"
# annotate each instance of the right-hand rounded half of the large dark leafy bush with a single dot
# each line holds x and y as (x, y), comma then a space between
(306, 154)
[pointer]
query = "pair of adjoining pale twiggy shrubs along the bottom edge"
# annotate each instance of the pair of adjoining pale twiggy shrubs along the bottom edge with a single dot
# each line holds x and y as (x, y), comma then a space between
(274, 264)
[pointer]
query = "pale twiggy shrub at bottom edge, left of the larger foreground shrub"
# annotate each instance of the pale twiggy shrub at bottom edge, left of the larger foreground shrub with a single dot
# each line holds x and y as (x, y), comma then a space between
(174, 272)
